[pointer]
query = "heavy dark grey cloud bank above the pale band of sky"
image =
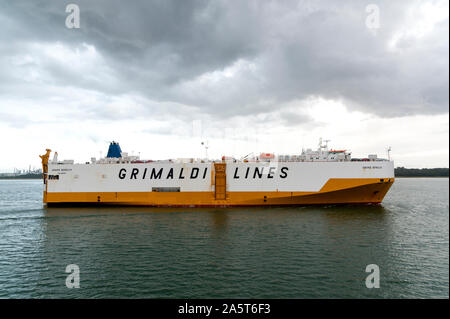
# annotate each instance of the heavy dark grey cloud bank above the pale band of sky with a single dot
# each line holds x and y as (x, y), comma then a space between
(180, 52)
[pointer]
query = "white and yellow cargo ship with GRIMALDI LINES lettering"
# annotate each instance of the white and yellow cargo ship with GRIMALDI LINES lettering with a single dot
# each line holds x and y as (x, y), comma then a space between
(322, 176)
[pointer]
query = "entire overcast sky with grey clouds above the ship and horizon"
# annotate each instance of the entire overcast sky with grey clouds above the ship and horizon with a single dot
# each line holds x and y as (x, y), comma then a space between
(248, 76)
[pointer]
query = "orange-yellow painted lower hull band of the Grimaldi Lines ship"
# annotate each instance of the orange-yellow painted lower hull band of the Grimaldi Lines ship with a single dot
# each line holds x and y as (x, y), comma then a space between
(335, 191)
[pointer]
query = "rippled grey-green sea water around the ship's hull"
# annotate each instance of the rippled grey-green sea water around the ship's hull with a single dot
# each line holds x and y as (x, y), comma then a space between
(300, 252)
